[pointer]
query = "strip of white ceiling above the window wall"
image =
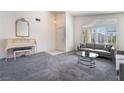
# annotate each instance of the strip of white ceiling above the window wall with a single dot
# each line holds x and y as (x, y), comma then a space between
(85, 13)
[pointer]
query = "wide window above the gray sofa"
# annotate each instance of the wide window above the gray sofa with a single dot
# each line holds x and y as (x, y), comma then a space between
(100, 34)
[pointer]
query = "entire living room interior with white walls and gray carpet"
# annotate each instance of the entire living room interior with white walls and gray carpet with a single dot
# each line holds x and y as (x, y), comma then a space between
(61, 46)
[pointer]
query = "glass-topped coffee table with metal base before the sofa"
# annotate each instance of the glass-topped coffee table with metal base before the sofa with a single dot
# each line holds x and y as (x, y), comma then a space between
(87, 58)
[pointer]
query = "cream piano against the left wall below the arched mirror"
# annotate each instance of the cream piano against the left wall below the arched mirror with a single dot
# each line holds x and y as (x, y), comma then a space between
(19, 44)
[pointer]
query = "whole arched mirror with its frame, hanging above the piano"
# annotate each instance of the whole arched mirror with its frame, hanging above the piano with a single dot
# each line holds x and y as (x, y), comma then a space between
(22, 28)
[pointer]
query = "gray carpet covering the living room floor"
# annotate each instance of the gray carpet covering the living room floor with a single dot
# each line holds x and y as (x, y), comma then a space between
(63, 67)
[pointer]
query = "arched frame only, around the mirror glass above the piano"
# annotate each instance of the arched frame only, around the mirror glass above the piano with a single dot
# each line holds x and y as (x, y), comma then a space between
(23, 20)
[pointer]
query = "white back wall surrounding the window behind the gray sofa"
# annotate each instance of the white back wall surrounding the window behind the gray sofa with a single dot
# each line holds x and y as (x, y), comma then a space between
(84, 20)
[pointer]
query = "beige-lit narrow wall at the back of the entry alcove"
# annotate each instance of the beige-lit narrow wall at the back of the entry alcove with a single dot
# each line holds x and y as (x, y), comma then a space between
(60, 31)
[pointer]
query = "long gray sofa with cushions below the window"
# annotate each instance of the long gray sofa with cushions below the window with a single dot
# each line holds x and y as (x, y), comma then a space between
(103, 50)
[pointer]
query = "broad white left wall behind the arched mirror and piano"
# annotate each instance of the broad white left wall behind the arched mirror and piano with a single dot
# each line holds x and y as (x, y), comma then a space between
(43, 31)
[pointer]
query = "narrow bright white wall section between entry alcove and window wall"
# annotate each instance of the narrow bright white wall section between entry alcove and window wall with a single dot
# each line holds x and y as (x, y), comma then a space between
(69, 32)
